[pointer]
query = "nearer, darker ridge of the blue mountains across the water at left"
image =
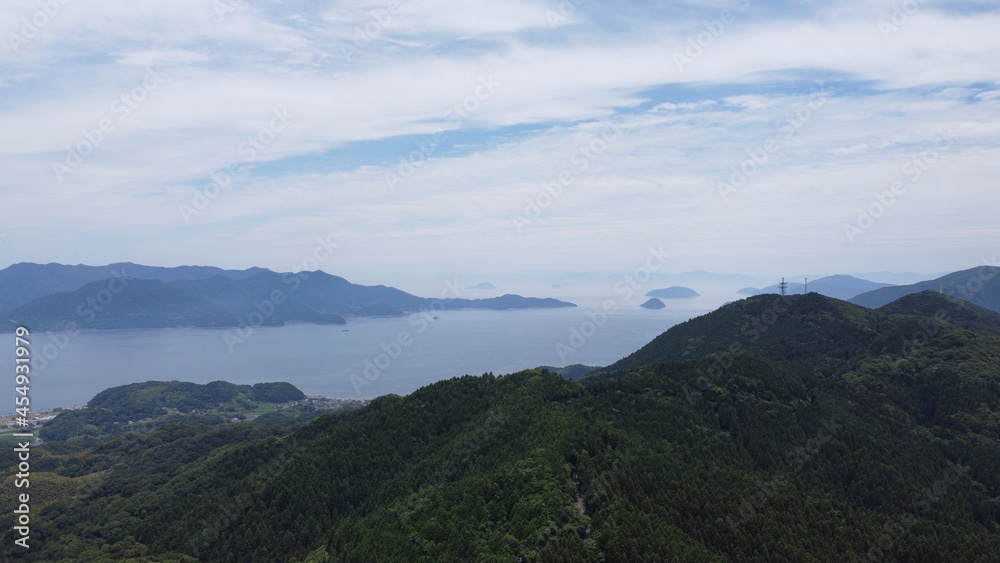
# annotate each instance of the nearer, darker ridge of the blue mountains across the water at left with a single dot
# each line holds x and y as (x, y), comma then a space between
(263, 298)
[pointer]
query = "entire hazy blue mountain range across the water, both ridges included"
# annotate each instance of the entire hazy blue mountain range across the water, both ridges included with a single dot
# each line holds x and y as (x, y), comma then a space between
(179, 297)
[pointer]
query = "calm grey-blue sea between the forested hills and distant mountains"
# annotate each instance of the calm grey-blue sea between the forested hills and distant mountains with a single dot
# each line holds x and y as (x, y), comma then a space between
(366, 358)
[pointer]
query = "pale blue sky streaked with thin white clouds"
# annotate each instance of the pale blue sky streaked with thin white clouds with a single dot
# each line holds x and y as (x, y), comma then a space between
(376, 140)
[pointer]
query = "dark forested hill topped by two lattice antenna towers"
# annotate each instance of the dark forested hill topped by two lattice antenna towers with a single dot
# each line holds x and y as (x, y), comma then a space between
(811, 330)
